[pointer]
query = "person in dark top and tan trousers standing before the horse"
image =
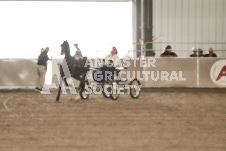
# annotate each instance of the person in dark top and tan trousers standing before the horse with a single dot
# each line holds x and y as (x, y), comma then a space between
(42, 68)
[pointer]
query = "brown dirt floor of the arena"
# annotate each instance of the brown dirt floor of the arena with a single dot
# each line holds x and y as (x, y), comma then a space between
(160, 120)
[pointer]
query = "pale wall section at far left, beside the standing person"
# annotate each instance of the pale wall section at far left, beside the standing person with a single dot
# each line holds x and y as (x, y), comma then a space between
(17, 73)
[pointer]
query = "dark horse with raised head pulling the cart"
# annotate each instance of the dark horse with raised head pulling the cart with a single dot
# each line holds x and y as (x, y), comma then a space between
(77, 68)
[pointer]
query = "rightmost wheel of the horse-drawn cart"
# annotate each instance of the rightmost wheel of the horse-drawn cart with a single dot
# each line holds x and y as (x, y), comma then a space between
(135, 89)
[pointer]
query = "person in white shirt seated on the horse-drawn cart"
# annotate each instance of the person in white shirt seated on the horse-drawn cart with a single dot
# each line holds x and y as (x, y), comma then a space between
(112, 57)
